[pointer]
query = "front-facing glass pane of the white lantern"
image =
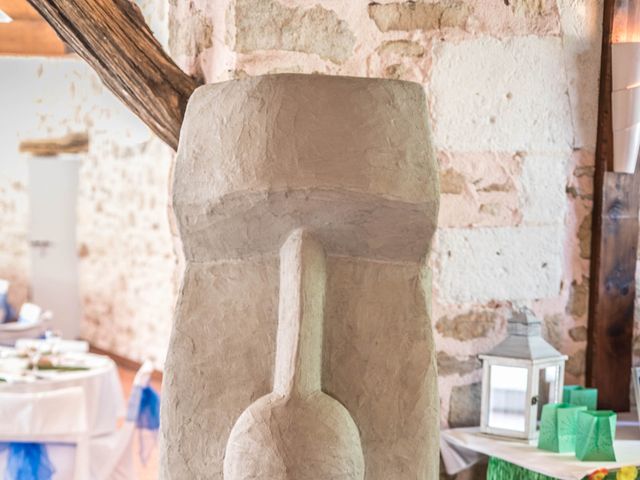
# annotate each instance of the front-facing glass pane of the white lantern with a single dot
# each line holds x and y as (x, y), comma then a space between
(507, 397)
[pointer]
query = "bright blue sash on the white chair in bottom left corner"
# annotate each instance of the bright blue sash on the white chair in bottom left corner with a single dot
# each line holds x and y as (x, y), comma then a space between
(27, 461)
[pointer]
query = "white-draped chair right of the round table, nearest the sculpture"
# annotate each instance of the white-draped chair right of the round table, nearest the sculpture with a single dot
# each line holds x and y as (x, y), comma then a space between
(112, 455)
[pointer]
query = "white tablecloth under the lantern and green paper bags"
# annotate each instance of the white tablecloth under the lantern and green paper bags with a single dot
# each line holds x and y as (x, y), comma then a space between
(462, 447)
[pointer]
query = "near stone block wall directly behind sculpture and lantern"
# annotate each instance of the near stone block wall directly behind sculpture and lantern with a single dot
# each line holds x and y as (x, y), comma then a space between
(512, 89)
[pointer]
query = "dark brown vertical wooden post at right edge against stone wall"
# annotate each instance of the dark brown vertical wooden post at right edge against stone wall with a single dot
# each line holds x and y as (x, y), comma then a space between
(614, 246)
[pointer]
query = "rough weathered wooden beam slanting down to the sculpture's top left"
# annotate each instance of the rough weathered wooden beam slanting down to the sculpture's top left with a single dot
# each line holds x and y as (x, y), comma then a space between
(113, 37)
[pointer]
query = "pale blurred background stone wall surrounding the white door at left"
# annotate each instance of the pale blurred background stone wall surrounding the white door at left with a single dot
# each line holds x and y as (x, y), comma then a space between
(127, 264)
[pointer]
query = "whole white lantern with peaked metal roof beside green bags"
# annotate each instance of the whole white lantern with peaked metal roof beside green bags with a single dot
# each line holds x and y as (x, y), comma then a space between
(520, 375)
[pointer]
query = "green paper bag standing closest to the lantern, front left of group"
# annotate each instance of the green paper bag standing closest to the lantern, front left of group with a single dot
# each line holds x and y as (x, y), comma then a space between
(558, 425)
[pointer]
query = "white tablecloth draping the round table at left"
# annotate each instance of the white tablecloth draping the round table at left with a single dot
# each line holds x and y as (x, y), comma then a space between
(101, 384)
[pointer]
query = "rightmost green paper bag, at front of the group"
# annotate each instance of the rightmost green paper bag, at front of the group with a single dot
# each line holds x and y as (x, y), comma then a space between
(595, 435)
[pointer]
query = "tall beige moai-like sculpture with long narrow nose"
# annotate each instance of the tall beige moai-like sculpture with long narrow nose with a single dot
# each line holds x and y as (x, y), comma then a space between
(339, 175)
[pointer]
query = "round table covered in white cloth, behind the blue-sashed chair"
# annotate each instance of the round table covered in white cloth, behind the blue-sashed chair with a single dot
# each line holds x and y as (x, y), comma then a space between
(100, 381)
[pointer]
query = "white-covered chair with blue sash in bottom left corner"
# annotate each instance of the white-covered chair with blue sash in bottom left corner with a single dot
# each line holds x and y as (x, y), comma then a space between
(56, 420)
